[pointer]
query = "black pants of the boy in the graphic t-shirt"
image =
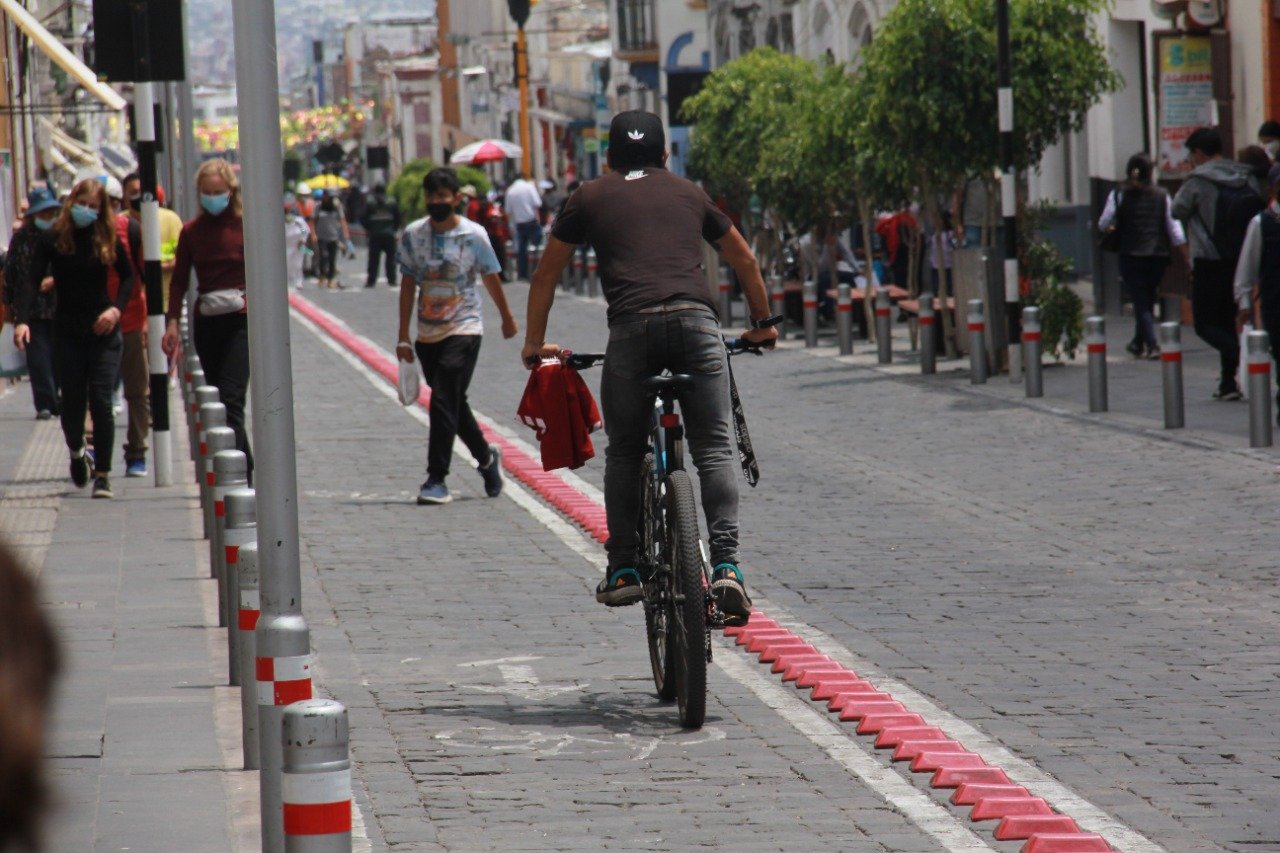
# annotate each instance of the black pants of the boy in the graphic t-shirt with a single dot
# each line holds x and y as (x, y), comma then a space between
(449, 366)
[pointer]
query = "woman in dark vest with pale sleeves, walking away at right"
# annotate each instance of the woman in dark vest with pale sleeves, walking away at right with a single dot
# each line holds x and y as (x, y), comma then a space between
(1144, 216)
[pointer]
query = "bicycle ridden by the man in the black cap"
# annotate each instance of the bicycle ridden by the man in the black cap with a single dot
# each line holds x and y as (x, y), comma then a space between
(674, 560)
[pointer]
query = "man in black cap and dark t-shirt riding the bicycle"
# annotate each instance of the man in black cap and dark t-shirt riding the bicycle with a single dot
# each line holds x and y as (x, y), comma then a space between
(648, 227)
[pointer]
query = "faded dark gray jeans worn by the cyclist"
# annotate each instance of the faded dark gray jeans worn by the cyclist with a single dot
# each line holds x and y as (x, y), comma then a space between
(680, 340)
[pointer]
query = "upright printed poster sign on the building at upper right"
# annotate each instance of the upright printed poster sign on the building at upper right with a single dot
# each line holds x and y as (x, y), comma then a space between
(1185, 83)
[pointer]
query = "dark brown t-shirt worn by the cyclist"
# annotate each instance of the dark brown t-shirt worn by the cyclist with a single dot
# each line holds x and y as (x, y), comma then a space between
(647, 227)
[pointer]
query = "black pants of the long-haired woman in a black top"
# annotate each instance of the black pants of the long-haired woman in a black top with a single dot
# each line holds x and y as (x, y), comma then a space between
(88, 367)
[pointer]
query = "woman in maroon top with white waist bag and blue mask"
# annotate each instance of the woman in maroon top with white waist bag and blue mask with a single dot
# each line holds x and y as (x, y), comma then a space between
(213, 244)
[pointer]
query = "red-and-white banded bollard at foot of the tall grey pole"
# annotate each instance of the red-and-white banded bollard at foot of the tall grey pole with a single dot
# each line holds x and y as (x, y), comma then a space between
(282, 669)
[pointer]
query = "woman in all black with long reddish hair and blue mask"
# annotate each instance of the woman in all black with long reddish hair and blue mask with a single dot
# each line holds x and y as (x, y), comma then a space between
(77, 253)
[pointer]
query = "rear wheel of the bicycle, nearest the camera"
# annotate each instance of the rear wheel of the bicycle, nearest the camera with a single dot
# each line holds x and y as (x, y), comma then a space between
(688, 603)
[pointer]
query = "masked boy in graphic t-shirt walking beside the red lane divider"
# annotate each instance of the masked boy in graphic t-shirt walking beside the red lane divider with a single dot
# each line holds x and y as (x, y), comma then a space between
(444, 258)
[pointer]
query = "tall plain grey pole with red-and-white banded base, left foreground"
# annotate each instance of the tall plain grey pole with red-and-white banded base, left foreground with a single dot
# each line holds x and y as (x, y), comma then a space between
(284, 644)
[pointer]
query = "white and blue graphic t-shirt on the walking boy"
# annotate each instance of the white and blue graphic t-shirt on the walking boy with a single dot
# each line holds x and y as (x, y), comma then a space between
(447, 268)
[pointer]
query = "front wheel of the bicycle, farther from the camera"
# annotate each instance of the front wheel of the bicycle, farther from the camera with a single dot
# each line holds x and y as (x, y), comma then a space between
(657, 580)
